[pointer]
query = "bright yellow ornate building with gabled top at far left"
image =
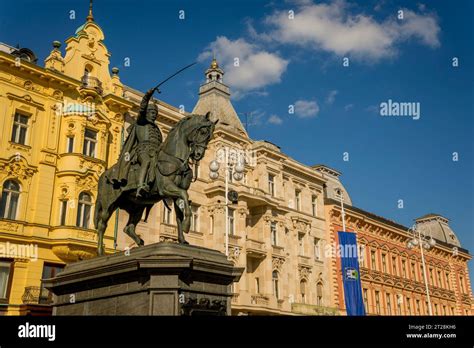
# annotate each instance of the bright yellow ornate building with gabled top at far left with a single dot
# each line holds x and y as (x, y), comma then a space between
(61, 126)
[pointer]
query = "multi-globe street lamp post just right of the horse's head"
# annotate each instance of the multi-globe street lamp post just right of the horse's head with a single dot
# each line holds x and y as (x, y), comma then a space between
(232, 167)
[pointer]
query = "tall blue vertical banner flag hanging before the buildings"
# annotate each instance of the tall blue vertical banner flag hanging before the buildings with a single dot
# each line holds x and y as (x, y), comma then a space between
(350, 273)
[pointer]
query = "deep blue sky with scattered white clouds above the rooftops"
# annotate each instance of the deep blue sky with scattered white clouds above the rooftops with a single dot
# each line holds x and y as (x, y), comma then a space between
(300, 63)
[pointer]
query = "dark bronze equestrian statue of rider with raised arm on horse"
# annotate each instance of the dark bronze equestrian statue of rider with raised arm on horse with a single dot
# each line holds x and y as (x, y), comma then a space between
(150, 170)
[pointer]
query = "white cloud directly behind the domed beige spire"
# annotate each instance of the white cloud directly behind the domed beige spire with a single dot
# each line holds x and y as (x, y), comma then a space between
(257, 67)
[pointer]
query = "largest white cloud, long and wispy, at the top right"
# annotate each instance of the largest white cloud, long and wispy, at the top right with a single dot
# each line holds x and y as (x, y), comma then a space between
(334, 28)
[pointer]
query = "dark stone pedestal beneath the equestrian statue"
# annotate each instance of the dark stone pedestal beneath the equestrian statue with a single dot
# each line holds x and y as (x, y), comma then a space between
(158, 279)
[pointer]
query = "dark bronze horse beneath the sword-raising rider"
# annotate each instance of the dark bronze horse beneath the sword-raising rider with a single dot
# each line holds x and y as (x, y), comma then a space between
(186, 141)
